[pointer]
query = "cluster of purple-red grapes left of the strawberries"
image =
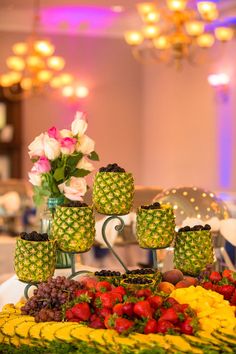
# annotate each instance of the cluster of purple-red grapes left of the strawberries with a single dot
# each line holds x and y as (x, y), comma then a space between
(48, 299)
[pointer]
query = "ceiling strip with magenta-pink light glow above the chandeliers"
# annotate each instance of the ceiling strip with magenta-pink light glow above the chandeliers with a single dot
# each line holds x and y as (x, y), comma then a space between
(81, 17)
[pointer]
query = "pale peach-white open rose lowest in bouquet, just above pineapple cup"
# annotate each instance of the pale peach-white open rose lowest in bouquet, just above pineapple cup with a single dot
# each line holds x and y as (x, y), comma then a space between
(74, 188)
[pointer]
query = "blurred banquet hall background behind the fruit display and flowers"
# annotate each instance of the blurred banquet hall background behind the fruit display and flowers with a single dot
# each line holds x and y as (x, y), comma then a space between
(158, 89)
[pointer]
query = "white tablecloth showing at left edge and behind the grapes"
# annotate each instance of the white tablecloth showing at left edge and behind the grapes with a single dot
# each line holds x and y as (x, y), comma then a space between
(12, 290)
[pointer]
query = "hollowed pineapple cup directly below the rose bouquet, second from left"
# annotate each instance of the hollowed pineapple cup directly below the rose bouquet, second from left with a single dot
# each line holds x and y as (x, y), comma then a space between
(73, 228)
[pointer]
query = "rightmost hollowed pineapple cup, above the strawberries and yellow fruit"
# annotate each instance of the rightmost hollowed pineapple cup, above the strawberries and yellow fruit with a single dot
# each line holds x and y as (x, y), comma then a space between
(193, 251)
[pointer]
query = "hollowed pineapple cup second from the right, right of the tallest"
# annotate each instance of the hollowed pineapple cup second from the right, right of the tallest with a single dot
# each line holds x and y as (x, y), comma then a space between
(155, 227)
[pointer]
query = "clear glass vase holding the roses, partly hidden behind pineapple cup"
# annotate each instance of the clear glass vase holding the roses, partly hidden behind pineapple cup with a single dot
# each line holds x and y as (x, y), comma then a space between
(63, 259)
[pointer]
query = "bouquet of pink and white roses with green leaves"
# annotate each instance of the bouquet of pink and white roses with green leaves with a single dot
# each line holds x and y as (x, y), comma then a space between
(61, 162)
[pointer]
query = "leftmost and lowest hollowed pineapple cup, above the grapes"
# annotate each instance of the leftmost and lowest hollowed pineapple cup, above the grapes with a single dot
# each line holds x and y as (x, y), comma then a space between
(34, 260)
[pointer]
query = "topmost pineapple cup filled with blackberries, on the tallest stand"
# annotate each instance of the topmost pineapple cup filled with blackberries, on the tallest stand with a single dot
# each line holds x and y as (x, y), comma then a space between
(113, 190)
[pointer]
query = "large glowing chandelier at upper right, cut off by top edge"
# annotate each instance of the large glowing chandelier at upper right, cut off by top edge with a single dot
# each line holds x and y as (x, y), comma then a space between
(175, 32)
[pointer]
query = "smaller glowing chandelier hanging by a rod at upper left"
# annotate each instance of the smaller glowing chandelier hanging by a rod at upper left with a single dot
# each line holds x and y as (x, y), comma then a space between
(33, 67)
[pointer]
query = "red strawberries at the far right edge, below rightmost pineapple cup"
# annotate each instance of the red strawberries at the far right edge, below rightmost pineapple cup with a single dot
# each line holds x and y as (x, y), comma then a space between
(223, 283)
